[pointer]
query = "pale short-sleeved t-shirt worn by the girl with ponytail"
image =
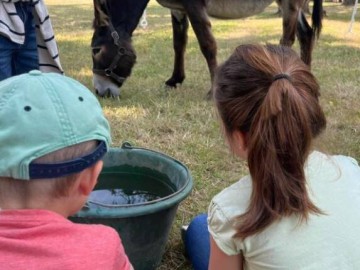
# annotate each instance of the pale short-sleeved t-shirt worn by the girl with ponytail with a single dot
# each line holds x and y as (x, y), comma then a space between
(330, 241)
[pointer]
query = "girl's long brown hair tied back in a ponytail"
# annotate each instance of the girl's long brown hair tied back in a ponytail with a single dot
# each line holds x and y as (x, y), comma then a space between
(269, 94)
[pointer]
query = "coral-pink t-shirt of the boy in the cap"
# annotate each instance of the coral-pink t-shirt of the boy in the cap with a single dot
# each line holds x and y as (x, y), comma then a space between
(41, 239)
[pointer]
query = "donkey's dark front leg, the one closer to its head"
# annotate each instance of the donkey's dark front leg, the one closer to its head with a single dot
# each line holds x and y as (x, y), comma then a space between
(180, 26)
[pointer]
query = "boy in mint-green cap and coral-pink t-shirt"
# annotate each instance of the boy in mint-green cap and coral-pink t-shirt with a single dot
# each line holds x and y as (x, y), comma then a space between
(53, 135)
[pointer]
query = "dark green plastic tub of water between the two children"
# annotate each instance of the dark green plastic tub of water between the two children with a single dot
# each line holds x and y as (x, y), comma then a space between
(143, 226)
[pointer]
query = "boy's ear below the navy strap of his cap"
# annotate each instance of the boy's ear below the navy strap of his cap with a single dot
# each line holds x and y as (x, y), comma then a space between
(88, 178)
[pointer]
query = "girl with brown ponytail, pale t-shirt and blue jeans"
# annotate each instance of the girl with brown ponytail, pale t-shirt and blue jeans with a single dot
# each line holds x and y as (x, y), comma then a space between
(298, 208)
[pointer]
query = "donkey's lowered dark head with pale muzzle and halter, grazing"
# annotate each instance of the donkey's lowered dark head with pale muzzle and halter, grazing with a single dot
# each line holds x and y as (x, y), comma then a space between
(112, 53)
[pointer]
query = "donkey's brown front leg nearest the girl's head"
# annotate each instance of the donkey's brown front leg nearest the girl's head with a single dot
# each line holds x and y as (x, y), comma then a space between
(201, 25)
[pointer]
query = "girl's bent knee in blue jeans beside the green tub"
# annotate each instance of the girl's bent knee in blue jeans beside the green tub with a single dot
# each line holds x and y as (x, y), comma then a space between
(197, 243)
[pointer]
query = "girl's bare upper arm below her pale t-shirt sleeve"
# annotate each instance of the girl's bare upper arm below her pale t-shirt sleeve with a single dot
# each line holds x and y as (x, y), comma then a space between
(219, 260)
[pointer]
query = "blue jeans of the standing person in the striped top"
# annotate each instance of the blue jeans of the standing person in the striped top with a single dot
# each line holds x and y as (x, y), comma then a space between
(16, 58)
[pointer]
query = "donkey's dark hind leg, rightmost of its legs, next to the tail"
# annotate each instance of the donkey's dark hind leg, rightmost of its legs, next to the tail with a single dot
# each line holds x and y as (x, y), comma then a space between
(306, 39)
